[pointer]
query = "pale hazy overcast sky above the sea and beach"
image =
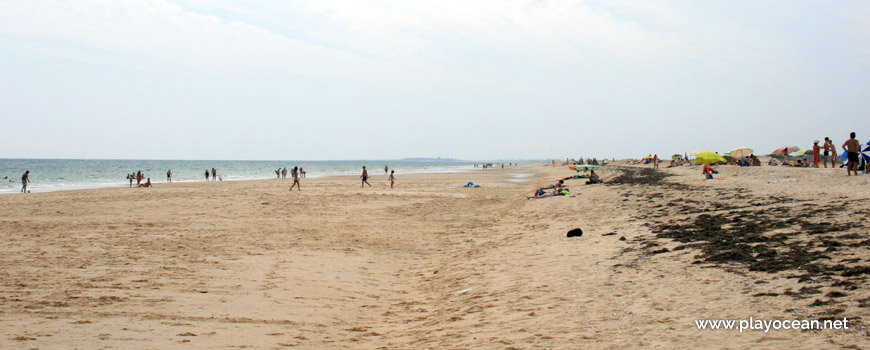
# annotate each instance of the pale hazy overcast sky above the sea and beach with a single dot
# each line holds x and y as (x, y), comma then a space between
(383, 79)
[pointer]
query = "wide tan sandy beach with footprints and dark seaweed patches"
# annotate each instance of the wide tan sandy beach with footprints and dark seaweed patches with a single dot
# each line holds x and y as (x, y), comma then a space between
(250, 265)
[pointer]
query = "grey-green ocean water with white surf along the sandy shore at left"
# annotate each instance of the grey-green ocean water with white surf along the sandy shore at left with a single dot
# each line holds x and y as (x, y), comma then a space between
(66, 174)
